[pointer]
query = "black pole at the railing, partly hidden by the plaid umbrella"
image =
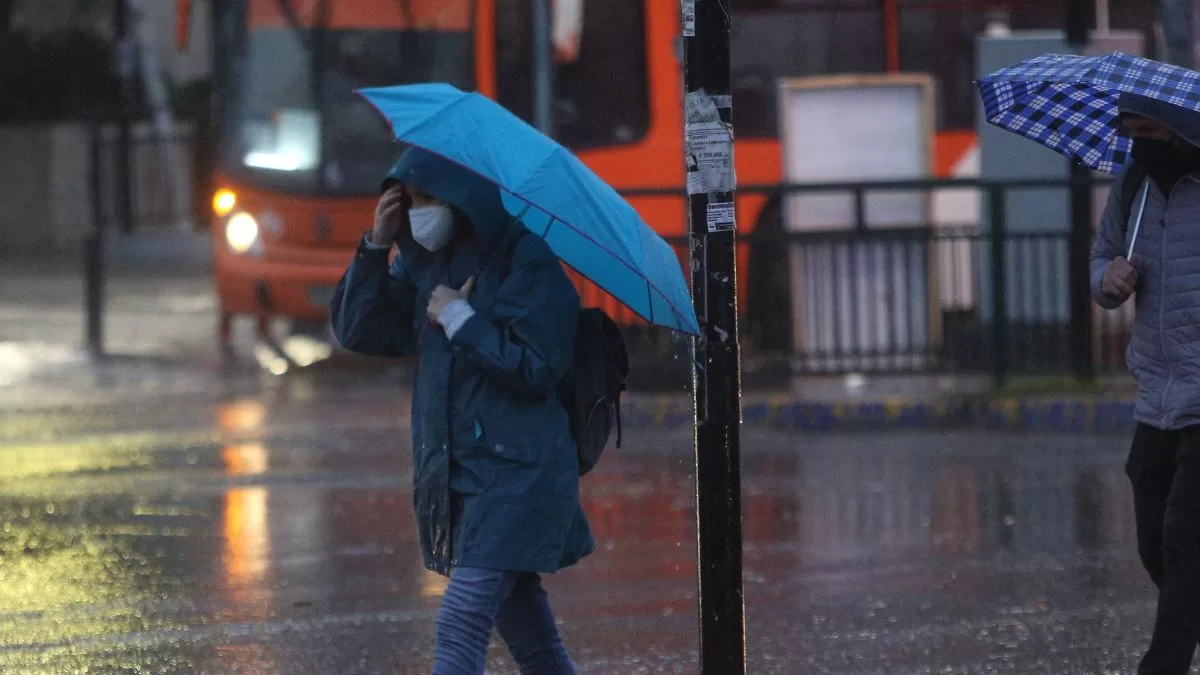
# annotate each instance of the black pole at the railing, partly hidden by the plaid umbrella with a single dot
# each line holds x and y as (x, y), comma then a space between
(1081, 241)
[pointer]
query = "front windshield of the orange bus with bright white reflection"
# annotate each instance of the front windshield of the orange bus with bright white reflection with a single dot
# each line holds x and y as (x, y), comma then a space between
(293, 120)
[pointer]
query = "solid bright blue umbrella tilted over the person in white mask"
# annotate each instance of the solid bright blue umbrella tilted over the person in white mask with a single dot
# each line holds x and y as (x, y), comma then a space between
(586, 223)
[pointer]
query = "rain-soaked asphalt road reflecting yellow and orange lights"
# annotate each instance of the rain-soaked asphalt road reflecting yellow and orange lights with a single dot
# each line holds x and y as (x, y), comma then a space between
(208, 523)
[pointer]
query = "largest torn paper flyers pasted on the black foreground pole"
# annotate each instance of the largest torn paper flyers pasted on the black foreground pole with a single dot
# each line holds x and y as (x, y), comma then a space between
(710, 147)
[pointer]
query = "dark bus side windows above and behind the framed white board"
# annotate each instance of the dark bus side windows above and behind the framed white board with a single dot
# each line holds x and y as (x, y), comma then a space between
(781, 39)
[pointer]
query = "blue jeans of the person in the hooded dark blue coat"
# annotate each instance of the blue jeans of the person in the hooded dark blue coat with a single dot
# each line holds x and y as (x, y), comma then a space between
(518, 607)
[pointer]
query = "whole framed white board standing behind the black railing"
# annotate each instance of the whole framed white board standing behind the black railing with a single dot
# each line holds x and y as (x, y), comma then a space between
(861, 303)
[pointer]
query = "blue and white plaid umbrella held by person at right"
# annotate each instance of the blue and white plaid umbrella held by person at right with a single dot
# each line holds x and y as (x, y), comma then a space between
(1070, 104)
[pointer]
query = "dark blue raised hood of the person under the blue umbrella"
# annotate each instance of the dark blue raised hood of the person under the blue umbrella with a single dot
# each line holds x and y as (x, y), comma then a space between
(458, 187)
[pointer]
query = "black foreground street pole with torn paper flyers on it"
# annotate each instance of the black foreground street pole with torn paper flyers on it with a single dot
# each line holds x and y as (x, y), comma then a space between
(718, 387)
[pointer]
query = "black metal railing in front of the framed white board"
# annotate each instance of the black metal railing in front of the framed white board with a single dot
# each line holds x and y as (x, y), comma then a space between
(850, 288)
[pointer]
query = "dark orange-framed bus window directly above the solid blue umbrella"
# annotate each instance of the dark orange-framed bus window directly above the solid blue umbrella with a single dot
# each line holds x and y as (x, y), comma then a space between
(601, 89)
